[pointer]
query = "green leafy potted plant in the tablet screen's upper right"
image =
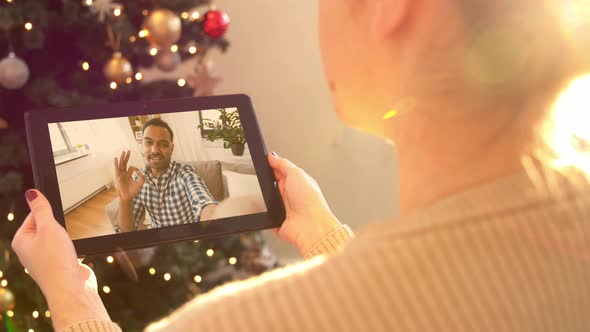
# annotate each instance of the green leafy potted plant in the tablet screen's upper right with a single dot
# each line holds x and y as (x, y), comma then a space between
(228, 128)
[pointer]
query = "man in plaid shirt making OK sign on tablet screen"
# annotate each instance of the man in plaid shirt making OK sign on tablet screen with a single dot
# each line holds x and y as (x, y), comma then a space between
(171, 192)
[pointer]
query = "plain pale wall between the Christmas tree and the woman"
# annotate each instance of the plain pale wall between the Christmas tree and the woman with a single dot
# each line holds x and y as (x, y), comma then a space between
(274, 57)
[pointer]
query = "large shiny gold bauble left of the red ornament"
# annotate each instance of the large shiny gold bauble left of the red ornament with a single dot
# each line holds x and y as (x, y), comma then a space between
(163, 26)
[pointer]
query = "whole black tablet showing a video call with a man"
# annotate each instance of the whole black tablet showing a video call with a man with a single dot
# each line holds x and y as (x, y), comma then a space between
(138, 174)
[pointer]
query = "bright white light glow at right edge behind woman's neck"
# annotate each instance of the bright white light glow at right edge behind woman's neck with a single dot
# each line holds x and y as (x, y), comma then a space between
(568, 134)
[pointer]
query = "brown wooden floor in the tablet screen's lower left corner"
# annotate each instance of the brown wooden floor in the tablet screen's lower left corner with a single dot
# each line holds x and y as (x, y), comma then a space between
(90, 219)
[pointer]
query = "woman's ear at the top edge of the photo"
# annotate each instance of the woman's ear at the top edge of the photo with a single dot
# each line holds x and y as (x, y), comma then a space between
(387, 16)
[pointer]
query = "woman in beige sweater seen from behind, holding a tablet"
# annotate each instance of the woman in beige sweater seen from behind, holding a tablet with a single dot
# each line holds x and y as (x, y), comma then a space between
(494, 229)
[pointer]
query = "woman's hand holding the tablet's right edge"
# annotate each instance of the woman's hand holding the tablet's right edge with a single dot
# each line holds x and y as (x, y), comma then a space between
(309, 218)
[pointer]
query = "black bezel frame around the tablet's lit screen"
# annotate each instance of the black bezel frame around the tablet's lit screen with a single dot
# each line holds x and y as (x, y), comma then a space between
(44, 171)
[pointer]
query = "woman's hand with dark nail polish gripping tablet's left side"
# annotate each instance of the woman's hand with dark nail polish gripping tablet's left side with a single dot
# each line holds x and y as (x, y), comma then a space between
(45, 249)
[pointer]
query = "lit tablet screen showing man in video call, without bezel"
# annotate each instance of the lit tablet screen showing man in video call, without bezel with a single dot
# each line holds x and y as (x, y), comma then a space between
(133, 173)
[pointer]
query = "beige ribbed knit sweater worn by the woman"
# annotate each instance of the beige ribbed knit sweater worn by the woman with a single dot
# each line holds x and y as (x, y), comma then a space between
(501, 257)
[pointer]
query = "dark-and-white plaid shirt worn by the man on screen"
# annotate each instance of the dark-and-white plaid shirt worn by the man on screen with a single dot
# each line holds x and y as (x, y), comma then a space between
(177, 196)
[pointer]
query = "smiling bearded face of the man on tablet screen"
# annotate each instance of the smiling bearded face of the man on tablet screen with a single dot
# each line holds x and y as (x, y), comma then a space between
(158, 147)
